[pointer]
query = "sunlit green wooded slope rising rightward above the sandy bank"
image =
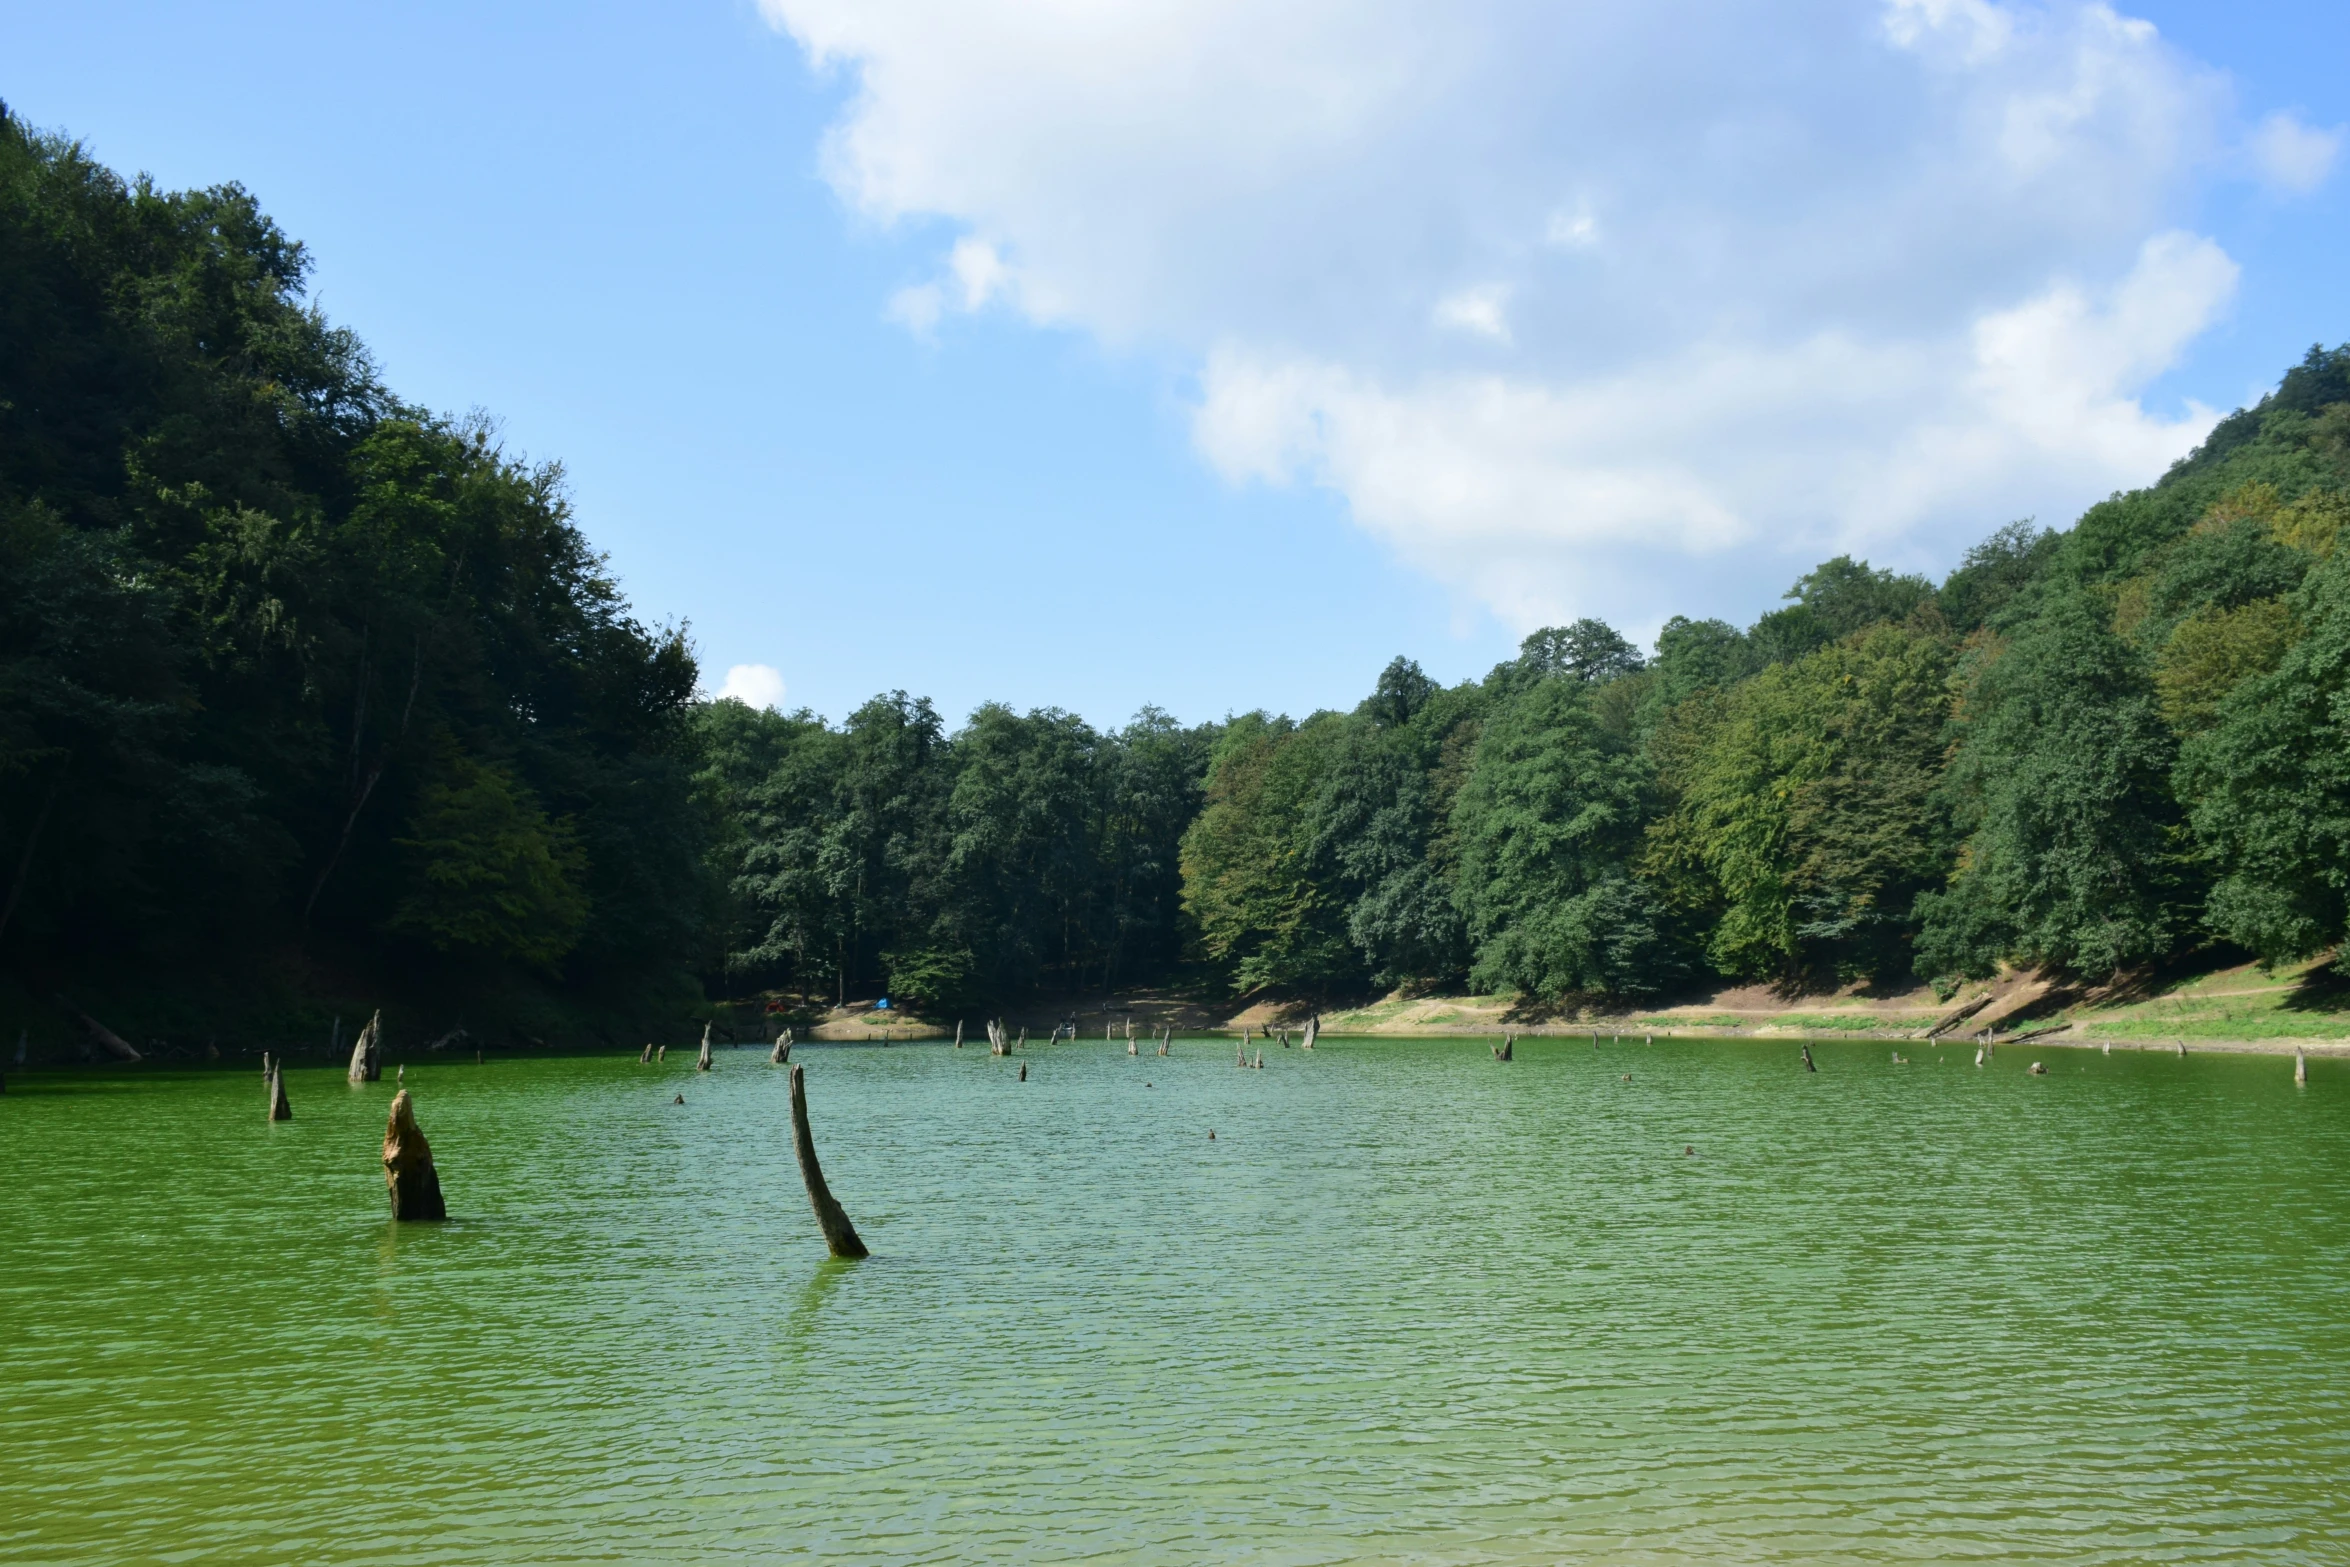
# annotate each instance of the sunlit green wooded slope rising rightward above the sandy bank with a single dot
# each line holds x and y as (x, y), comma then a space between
(2086, 751)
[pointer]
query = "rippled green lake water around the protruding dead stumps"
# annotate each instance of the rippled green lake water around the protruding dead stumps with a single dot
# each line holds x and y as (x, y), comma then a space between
(1411, 1305)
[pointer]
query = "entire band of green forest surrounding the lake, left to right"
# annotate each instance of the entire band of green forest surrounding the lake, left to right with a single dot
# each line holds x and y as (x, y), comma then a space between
(311, 699)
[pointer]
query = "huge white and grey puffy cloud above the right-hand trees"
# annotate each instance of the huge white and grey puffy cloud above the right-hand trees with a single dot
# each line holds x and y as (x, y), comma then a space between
(1583, 304)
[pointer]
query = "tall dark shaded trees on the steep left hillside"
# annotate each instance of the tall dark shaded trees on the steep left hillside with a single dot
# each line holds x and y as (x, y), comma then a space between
(250, 600)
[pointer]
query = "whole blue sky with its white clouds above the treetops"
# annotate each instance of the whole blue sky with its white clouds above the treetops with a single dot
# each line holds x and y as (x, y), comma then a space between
(1209, 354)
